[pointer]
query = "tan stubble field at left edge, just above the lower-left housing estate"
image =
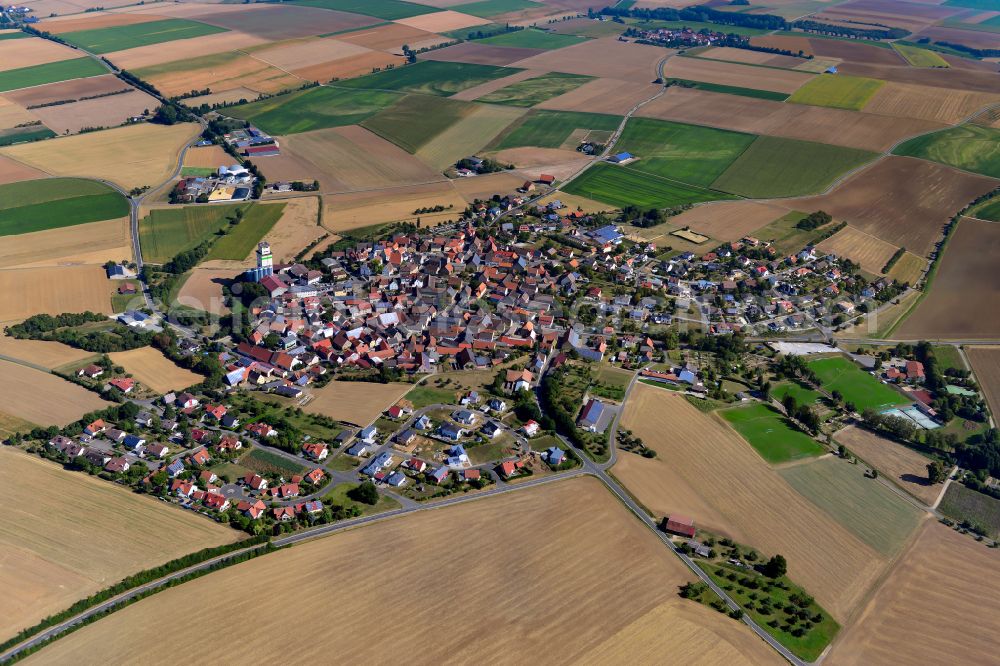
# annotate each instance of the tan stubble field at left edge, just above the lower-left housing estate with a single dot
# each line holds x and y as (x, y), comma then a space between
(44, 399)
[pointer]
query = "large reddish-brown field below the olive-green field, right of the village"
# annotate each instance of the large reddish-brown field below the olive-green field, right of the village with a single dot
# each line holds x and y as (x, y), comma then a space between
(901, 200)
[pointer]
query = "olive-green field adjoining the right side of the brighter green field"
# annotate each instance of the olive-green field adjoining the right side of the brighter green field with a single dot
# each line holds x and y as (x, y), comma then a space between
(779, 167)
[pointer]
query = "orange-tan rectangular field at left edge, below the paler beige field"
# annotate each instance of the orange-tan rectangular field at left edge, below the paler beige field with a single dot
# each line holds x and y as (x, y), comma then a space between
(29, 291)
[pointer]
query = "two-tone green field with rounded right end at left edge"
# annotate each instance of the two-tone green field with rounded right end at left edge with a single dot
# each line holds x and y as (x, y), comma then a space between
(52, 203)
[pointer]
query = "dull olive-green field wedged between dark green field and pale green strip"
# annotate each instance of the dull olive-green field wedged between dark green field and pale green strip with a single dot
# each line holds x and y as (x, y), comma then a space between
(415, 120)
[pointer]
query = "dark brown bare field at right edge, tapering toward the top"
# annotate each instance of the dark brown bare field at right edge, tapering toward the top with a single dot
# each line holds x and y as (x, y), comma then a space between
(967, 269)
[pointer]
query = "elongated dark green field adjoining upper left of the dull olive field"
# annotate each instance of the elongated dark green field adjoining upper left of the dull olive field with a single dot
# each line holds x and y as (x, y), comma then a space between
(316, 108)
